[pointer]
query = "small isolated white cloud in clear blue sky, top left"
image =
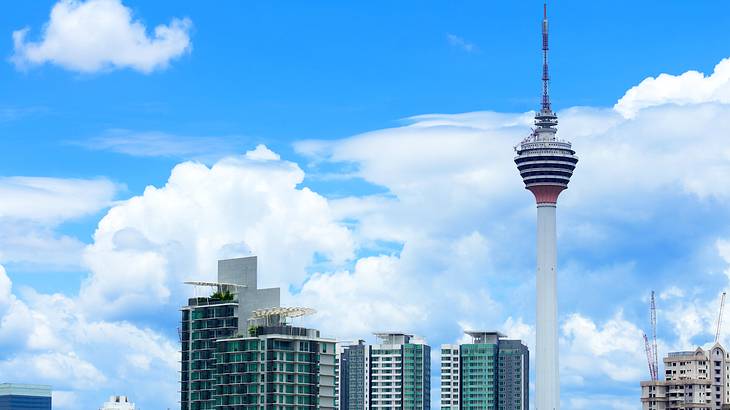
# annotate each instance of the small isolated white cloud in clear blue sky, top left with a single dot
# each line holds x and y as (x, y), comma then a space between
(94, 35)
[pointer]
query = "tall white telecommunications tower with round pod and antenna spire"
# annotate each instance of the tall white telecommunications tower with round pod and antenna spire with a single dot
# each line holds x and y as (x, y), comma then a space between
(546, 165)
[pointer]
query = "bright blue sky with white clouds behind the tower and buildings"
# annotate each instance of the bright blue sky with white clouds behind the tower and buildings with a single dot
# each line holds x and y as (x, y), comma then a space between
(363, 151)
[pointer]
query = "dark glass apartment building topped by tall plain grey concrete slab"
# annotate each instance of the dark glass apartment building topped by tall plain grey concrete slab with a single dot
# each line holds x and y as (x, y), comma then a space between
(207, 319)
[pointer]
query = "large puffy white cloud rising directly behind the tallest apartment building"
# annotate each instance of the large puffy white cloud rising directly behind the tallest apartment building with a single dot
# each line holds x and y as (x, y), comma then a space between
(145, 247)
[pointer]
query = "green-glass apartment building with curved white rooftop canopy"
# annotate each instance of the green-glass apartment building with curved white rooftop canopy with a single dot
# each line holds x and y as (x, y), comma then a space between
(275, 366)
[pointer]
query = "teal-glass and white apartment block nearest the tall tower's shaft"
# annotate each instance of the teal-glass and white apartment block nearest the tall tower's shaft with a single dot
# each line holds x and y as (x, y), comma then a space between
(489, 373)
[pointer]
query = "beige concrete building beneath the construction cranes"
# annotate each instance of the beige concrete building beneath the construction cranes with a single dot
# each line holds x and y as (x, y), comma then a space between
(698, 380)
